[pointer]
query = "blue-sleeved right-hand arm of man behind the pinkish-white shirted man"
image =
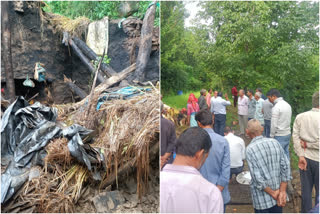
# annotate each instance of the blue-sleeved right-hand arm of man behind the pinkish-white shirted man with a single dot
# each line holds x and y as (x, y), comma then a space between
(224, 177)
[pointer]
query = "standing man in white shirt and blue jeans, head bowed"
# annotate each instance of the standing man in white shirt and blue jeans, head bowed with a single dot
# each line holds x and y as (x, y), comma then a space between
(280, 120)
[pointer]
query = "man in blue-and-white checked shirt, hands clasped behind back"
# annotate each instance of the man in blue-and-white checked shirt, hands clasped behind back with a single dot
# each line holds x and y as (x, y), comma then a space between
(270, 171)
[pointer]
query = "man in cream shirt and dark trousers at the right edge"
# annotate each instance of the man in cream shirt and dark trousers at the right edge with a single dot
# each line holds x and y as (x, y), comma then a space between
(306, 145)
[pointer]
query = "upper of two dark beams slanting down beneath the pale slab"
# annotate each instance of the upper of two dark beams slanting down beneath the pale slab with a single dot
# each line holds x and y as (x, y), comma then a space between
(93, 56)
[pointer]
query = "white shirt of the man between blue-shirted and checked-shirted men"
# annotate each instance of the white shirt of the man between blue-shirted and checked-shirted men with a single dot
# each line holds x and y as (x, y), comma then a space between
(237, 150)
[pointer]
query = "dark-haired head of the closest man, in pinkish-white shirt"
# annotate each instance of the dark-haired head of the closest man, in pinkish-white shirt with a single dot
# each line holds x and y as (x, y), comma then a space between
(193, 147)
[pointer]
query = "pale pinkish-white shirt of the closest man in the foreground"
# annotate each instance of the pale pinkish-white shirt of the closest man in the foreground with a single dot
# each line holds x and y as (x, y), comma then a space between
(184, 190)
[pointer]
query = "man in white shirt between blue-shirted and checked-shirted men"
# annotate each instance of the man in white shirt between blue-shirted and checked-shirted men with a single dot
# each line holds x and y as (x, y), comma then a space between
(237, 151)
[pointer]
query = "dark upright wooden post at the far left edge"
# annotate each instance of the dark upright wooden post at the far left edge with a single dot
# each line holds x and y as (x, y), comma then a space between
(7, 56)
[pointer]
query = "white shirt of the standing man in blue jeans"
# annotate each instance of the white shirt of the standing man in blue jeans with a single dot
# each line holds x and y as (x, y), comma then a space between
(281, 118)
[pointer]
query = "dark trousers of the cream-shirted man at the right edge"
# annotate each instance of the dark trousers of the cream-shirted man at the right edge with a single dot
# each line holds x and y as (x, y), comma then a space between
(309, 178)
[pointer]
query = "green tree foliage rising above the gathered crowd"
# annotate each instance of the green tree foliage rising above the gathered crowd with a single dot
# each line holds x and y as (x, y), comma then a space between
(249, 44)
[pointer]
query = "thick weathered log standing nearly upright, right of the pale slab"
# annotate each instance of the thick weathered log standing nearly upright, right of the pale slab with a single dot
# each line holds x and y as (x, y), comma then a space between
(145, 43)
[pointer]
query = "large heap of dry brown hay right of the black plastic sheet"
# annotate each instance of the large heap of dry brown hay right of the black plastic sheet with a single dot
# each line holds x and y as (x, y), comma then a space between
(126, 129)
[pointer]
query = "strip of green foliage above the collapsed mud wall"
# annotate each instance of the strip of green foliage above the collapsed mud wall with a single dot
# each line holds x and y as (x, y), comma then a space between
(96, 10)
